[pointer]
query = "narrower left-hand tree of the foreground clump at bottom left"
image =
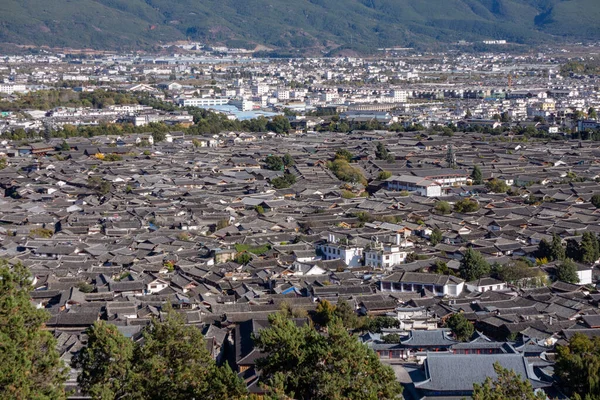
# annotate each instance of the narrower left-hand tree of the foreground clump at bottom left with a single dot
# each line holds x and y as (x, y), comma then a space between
(105, 363)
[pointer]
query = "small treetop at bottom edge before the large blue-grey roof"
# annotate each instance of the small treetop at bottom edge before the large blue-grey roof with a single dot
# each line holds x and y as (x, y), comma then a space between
(507, 386)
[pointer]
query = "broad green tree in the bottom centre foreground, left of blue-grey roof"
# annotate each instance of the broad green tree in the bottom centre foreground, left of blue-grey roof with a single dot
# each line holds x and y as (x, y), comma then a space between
(307, 365)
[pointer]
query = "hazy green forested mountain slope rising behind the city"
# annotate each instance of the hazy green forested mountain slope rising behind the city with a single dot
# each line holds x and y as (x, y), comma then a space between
(317, 24)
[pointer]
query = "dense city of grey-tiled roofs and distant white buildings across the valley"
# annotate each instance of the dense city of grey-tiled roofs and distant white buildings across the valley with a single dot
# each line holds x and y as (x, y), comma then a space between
(450, 201)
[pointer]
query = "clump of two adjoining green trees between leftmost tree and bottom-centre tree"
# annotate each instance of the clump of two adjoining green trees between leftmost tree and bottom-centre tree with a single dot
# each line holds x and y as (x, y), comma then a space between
(172, 362)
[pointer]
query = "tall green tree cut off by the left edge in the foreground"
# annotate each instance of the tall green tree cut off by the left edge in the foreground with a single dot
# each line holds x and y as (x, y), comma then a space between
(30, 366)
